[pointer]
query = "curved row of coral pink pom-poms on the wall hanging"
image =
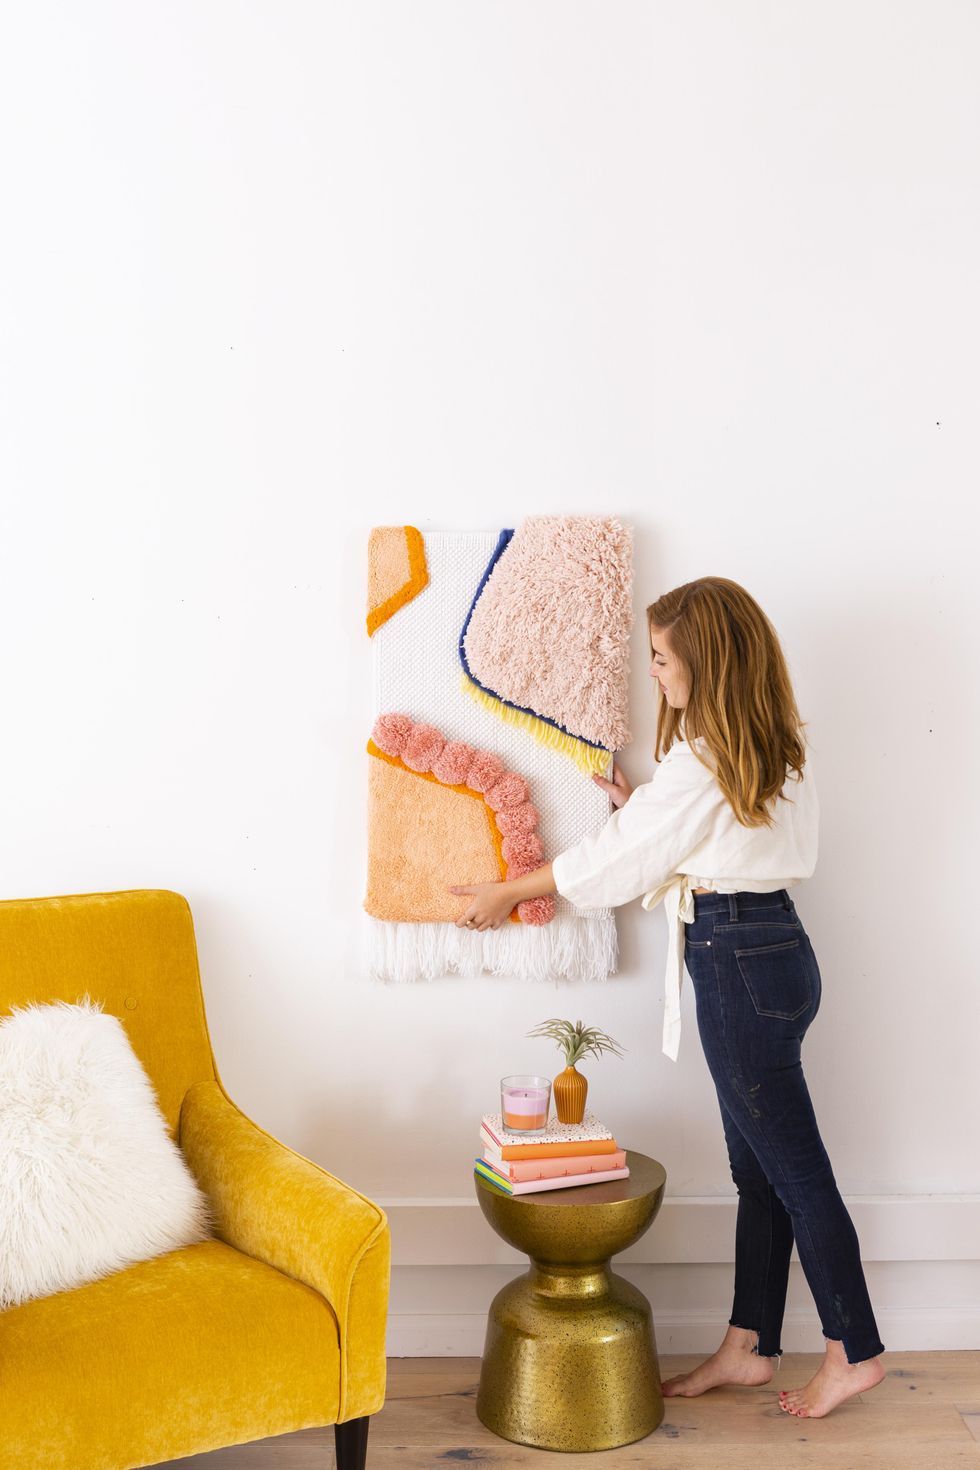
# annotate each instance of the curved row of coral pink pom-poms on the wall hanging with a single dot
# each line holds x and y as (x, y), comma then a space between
(424, 749)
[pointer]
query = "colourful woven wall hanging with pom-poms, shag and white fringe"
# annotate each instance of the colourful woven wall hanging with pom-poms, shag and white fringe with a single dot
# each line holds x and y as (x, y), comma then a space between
(500, 684)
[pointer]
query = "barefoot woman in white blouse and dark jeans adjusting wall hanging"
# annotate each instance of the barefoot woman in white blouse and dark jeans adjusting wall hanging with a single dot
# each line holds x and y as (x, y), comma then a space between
(722, 831)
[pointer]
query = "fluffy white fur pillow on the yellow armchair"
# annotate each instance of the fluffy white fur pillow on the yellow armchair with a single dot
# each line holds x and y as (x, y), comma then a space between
(90, 1180)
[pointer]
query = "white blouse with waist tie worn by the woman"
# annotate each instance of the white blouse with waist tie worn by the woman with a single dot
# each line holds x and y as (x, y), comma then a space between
(678, 833)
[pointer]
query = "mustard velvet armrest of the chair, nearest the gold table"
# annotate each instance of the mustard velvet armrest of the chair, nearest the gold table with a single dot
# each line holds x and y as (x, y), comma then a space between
(278, 1208)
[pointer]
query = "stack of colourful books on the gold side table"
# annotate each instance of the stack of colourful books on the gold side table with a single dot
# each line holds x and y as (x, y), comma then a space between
(565, 1155)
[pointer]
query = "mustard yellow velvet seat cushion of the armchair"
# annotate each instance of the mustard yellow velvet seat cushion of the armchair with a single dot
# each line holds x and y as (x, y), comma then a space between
(186, 1353)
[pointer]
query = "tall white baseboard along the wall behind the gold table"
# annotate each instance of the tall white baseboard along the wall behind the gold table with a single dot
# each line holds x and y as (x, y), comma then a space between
(922, 1256)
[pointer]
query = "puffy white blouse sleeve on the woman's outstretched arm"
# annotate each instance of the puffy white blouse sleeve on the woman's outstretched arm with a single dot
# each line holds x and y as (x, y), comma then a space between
(644, 842)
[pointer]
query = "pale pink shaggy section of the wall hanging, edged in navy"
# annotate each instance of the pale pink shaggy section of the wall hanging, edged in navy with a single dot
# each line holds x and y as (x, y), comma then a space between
(550, 631)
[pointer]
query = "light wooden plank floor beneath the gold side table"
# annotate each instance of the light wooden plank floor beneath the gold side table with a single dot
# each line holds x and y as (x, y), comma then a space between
(926, 1415)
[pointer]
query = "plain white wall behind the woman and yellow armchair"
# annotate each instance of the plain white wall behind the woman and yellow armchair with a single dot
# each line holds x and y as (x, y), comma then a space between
(274, 274)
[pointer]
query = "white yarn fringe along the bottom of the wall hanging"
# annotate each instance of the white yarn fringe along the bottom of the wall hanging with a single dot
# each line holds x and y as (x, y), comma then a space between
(568, 949)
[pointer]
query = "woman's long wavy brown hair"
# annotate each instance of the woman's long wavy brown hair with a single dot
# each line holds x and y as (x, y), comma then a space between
(741, 698)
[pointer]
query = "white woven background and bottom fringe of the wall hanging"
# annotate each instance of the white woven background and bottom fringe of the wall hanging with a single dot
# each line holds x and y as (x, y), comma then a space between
(418, 673)
